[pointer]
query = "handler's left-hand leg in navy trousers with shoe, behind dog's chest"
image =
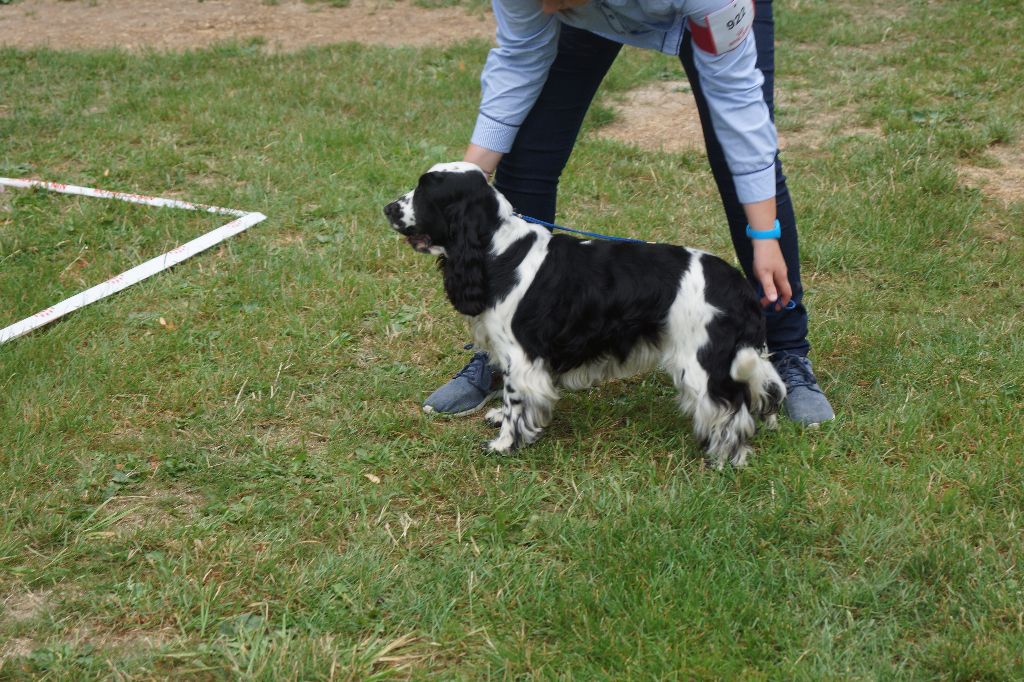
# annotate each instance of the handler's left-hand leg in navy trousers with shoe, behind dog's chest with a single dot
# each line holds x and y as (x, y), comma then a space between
(529, 175)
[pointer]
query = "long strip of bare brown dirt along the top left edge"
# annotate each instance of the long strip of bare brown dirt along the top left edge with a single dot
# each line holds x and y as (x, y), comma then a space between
(182, 25)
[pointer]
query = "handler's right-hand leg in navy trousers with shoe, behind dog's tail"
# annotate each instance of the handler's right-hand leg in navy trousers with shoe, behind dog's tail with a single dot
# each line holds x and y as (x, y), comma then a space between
(788, 329)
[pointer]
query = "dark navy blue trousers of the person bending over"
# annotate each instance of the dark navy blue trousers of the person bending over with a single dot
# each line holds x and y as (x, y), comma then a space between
(529, 175)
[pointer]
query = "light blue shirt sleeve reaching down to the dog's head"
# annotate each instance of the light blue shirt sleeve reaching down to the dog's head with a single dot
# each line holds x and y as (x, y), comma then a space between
(516, 71)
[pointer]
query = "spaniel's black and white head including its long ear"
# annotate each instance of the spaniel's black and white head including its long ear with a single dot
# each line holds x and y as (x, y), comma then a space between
(452, 215)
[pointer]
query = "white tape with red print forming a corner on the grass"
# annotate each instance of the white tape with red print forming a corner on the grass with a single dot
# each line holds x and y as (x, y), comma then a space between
(244, 221)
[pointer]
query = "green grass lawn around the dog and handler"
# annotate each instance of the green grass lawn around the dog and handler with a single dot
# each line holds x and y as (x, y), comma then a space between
(252, 491)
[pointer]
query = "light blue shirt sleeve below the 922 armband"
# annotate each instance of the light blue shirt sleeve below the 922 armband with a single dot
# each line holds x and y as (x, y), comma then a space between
(732, 83)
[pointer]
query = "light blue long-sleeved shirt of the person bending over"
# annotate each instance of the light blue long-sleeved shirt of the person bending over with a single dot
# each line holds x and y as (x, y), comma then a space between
(528, 42)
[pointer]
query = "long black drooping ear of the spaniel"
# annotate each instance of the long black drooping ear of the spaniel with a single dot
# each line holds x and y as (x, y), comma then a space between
(472, 222)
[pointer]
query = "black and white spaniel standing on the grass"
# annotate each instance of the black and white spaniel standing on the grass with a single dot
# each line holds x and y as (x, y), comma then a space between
(556, 312)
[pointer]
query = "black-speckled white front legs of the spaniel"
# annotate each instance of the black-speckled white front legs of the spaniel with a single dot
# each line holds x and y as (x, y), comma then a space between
(528, 404)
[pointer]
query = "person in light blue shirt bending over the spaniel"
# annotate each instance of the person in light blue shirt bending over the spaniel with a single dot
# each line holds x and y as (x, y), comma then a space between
(537, 87)
